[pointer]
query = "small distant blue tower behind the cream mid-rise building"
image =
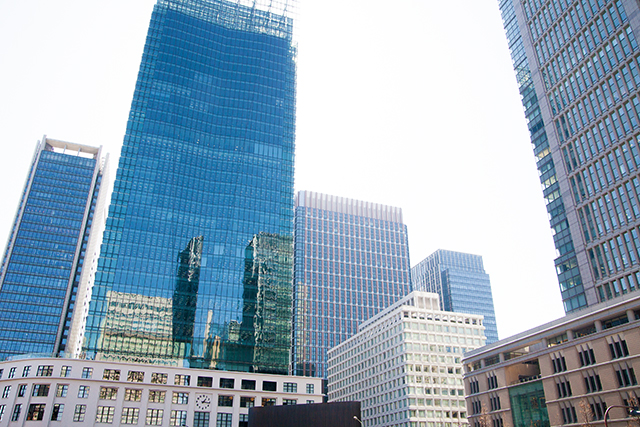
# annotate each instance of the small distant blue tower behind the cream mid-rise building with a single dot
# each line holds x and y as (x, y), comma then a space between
(462, 284)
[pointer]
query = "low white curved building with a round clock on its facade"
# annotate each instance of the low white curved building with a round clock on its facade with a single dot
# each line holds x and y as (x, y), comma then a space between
(75, 392)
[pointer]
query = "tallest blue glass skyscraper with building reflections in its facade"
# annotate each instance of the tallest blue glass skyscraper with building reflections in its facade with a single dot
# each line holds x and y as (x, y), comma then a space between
(206, 168)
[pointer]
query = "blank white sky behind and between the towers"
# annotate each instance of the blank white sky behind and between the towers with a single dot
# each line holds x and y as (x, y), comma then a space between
(410, 103)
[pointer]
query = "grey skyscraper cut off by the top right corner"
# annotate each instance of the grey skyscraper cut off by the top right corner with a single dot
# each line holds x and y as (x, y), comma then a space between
(577, 67)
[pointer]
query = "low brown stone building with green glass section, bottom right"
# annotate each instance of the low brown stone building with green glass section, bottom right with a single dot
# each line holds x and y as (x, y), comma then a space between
(568, 371)
